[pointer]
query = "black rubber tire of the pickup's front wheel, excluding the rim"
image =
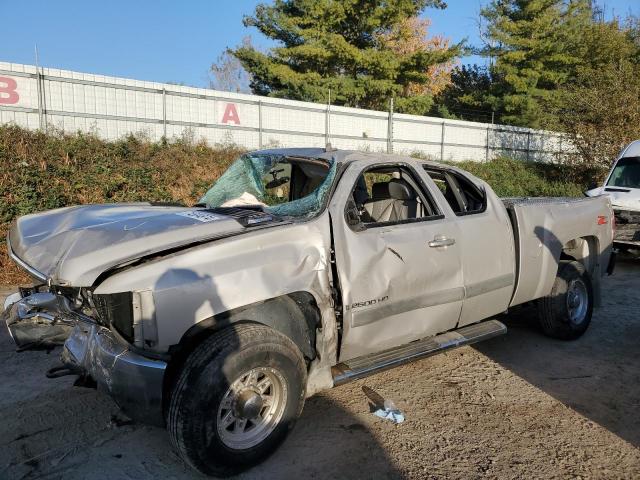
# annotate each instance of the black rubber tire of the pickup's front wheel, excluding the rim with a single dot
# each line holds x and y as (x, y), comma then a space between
(202, 389)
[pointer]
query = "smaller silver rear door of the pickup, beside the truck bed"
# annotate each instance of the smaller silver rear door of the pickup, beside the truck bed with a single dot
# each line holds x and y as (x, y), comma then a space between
(486, 243)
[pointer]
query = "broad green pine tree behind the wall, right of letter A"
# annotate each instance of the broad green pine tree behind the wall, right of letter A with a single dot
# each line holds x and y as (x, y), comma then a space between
(342, 46)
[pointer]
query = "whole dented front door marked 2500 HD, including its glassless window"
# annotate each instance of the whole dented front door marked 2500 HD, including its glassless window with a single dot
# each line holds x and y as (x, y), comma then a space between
(397, 258)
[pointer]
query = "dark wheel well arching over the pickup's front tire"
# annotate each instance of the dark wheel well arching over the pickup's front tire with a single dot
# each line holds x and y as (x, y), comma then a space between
(295, 315)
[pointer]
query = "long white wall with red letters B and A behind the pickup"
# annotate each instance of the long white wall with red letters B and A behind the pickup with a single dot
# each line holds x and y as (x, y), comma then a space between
(113, 107)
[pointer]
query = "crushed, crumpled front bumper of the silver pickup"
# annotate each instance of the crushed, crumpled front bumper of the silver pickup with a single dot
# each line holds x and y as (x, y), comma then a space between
(134, 381)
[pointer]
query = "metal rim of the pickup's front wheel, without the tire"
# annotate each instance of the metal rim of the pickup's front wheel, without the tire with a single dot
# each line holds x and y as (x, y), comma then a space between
(251, 408)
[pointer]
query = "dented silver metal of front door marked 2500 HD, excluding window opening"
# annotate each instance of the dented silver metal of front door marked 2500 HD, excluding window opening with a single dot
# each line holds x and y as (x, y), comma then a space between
(395, 288)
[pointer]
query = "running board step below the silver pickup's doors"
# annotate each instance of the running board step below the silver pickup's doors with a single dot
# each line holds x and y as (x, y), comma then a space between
(361, 367)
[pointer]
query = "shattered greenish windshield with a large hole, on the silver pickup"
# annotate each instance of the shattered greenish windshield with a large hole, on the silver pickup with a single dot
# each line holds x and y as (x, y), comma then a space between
(281, 185)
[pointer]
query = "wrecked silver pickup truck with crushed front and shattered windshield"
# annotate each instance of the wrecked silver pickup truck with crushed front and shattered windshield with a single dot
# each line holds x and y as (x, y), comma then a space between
(299, 270)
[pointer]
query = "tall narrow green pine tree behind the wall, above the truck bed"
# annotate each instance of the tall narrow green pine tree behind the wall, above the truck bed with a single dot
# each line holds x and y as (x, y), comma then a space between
(536, 45)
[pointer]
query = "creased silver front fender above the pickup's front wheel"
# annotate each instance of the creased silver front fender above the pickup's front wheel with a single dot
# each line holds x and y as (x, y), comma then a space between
(217, 277)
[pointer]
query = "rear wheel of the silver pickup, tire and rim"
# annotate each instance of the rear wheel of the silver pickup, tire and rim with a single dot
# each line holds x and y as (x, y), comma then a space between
(559, 314)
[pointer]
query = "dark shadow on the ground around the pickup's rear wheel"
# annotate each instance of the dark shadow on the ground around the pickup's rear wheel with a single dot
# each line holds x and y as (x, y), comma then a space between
(596, 375)
